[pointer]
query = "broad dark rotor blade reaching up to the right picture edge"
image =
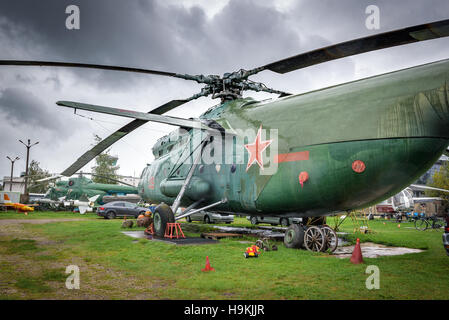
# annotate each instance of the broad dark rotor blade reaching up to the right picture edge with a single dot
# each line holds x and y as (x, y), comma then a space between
(375, 42)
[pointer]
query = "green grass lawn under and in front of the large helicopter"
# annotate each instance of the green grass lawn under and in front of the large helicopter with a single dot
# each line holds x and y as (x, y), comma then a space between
(115, 266)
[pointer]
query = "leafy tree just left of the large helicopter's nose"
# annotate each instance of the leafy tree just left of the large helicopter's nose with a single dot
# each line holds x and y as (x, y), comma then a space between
(106, 166)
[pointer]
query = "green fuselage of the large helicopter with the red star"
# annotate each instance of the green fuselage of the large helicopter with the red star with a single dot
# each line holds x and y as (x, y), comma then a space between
(335, 149)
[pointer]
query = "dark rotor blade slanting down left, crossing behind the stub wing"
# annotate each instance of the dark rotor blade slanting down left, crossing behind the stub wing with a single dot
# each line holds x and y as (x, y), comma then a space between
(117, 135)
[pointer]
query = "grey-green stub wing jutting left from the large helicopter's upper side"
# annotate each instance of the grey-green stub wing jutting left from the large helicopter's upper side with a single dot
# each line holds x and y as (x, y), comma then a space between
(132, 114)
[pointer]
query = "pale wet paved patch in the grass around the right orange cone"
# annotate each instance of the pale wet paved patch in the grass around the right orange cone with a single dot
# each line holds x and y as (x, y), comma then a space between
(374, 250)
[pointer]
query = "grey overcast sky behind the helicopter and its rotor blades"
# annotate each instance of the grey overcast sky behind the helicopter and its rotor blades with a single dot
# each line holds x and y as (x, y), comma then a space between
(194, 36)
